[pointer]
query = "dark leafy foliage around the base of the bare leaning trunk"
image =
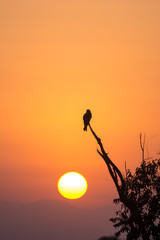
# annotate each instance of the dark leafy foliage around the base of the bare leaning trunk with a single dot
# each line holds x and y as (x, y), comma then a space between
(142, 187)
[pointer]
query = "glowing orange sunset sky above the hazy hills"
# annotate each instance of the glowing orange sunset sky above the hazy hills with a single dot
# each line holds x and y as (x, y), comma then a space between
(59, 58)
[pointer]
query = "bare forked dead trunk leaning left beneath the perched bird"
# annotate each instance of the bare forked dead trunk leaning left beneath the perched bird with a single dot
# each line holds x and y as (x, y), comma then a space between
(120, 186)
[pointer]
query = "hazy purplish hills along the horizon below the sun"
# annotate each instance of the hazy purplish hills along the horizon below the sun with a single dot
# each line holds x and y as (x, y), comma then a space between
(53, 219)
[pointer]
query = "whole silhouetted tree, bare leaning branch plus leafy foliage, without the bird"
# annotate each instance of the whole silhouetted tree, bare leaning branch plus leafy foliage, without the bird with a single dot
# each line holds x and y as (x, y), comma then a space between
(133, 219)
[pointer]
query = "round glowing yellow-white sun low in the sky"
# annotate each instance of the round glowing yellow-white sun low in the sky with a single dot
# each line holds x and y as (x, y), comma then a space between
(72, 185)
